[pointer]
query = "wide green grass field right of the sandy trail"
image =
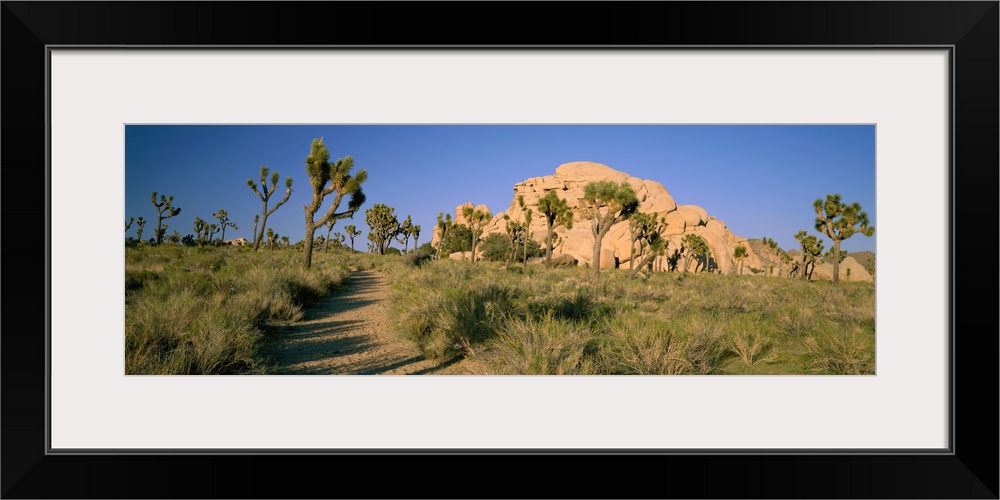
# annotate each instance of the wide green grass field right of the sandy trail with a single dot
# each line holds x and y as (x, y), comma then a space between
(536, 320)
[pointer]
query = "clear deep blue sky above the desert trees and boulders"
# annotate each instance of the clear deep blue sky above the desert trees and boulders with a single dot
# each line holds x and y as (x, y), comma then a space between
(760, 180)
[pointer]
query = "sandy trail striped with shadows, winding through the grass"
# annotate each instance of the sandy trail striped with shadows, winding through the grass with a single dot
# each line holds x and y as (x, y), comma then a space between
(348, 332)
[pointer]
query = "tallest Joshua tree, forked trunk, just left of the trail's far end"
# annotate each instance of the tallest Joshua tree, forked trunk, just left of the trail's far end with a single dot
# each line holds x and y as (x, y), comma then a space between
(341, 183)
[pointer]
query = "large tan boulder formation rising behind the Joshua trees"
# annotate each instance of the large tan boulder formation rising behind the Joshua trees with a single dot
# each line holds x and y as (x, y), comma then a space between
(569, 181)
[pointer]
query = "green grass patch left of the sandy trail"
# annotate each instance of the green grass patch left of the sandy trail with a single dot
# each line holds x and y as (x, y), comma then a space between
(204, 310)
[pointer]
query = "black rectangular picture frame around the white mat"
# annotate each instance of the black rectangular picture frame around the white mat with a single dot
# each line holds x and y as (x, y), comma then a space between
(970, 470)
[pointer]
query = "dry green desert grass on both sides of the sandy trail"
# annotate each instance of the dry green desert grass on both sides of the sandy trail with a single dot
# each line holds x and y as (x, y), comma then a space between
(207, 311)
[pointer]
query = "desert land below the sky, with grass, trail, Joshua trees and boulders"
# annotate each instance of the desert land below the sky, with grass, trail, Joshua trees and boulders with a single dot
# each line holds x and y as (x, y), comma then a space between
(587, 270)
